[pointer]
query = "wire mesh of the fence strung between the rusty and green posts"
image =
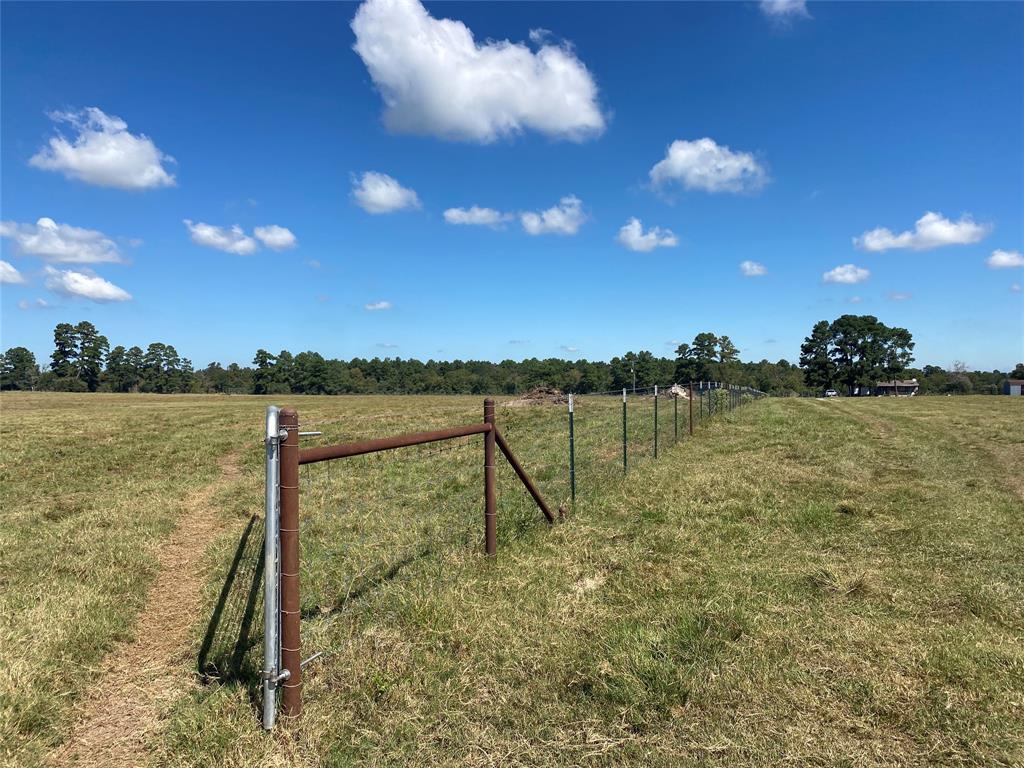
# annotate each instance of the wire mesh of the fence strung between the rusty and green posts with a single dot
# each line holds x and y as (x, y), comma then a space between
(370, 515)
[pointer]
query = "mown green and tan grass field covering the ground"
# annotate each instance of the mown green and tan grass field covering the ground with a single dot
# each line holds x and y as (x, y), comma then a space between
(806, 582)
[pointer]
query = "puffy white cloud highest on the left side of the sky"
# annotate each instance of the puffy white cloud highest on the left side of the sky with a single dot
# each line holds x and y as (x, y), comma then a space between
(104, 153)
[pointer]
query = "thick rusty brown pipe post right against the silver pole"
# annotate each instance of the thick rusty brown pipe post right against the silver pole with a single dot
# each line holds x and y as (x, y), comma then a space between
(291, 651)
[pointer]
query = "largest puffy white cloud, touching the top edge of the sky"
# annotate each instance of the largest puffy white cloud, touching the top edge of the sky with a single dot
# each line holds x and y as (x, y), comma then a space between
(437, 80)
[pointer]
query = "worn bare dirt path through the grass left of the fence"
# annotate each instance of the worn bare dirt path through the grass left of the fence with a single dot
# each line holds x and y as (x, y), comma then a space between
(140, 679)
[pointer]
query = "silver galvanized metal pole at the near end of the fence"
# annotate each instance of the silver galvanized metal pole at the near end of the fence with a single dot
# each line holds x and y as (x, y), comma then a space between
(272, 641)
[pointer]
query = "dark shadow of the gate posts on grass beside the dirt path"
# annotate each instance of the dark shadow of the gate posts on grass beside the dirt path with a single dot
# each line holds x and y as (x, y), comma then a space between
(224, 656)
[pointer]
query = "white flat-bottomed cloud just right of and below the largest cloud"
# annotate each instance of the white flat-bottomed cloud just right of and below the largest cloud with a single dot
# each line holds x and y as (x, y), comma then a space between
(706, 165)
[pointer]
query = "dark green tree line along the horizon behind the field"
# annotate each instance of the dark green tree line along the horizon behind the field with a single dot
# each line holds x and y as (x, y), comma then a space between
(850, 352)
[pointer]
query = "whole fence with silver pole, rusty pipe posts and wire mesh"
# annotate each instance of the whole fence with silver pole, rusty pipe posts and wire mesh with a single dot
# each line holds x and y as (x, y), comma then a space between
(575, 448)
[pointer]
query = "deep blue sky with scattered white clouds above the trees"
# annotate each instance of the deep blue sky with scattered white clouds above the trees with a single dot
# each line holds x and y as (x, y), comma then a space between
(743, 133)
